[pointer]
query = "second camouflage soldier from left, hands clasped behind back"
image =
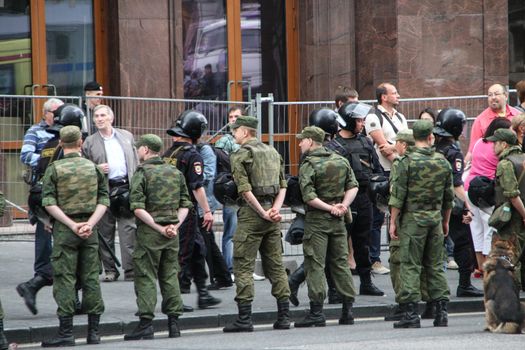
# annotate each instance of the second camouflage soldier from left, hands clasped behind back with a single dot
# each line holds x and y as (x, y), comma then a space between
(160, 200)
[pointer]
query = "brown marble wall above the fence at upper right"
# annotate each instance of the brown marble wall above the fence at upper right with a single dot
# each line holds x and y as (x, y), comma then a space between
(425, 47)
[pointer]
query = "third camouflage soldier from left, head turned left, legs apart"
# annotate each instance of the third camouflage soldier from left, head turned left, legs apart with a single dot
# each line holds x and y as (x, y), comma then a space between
(258, 171)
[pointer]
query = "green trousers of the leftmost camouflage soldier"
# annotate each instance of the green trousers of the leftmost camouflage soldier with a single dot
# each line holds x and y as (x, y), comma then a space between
(73, 256)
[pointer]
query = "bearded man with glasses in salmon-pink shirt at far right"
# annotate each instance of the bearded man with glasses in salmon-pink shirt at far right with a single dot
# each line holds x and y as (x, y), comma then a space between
(498, 107)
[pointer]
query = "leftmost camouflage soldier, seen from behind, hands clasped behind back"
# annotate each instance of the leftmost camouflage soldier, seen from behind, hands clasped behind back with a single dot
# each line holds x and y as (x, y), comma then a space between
(75, 194)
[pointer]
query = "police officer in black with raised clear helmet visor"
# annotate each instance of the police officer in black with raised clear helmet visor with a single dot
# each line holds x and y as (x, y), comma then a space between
(358, 149)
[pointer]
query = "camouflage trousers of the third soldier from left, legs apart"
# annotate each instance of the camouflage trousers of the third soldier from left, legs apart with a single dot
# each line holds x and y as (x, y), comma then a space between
(254, 234)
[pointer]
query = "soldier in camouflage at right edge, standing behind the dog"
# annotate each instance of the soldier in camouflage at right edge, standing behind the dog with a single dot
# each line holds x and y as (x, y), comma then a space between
(508, 189)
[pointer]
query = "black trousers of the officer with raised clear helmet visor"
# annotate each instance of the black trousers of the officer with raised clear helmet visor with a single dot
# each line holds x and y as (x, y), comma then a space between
(359, 231)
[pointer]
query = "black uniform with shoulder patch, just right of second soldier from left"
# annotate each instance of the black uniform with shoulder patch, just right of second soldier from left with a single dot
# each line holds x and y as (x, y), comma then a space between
(192, 252)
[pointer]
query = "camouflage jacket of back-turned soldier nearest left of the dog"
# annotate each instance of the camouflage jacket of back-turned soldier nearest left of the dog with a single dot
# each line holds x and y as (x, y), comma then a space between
(422, 185)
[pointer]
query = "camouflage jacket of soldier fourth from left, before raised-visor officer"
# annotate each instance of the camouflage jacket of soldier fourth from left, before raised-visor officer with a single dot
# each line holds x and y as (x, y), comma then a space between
(325, 175)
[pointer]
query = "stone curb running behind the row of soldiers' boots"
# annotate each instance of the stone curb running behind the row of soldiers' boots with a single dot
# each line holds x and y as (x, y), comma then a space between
(332, 312)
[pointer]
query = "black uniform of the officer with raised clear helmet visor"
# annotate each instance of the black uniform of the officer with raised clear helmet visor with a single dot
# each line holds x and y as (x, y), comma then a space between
(363, 160)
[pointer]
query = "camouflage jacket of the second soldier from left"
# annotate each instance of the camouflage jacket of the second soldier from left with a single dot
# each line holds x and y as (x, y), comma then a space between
(160, 189)
